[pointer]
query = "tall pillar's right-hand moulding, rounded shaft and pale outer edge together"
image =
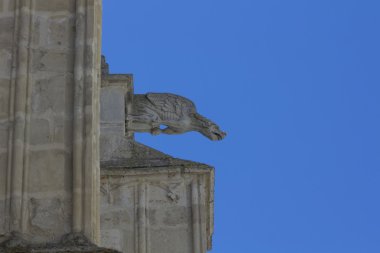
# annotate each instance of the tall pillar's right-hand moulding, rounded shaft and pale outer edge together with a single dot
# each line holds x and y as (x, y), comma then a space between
(86, 179)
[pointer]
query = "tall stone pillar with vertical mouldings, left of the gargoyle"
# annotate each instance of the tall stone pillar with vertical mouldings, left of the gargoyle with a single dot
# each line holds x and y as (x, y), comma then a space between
(49, 125)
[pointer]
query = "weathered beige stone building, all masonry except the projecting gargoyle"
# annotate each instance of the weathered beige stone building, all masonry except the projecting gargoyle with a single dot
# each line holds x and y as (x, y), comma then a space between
(50, 179)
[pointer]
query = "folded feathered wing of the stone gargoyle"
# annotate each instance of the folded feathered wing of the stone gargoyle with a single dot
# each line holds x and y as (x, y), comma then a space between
(173, 107)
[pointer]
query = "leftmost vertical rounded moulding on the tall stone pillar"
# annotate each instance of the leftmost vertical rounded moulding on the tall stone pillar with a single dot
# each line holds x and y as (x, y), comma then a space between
(17, 169)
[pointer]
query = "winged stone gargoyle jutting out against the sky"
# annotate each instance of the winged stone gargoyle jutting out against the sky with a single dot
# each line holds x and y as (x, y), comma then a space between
(152, 110)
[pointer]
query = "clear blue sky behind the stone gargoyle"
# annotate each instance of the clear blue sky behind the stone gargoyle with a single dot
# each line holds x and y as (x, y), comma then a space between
(296, 84)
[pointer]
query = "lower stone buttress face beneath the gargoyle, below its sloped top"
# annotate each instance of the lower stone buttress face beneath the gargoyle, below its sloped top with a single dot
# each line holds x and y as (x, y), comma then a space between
(161, 209)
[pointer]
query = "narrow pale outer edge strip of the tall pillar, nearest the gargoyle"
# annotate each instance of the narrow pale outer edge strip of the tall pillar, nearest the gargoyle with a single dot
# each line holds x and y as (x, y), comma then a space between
(91, 121)
